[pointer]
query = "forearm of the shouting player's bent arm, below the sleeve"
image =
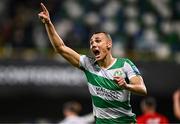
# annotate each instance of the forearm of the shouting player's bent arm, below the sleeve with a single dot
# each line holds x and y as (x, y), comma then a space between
(136, 88)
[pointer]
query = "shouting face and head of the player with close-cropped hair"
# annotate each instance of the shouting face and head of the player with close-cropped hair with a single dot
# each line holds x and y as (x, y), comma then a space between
(100, 45)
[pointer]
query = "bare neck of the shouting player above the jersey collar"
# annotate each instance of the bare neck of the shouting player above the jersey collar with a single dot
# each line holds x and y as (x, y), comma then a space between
(108, 60)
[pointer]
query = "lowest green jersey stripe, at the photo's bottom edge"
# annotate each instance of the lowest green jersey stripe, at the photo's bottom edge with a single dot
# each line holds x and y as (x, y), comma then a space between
(120, 120)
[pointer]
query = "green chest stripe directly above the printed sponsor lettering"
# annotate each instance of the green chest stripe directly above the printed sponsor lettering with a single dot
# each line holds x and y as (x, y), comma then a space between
(101, 81)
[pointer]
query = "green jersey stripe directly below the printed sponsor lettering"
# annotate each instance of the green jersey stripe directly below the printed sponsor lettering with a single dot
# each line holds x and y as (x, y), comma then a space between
(101, 103)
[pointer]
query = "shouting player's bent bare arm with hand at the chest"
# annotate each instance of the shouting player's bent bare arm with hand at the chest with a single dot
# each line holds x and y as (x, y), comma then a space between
(136, 84)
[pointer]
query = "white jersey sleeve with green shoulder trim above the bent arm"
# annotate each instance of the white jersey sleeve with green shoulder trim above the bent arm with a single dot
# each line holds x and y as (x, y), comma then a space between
(130, 69)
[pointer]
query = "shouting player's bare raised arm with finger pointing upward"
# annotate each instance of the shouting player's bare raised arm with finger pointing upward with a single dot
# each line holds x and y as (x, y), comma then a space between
(58, 44)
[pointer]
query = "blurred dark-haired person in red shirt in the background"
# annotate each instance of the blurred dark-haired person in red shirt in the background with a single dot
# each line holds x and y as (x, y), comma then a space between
(150, 116)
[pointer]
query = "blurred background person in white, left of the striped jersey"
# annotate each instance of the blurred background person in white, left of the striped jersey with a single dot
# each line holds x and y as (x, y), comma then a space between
(71, 112)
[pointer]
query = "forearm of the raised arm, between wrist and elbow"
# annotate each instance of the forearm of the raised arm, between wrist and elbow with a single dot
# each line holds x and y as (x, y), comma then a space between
(55, 39)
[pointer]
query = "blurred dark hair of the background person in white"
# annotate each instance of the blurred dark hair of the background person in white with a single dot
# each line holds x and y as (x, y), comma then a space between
(72, 106)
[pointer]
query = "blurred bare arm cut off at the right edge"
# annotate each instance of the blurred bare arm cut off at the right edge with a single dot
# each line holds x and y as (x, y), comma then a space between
(176, 103)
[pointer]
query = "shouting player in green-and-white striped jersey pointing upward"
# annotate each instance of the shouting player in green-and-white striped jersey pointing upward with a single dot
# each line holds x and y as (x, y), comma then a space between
(110, 80)
